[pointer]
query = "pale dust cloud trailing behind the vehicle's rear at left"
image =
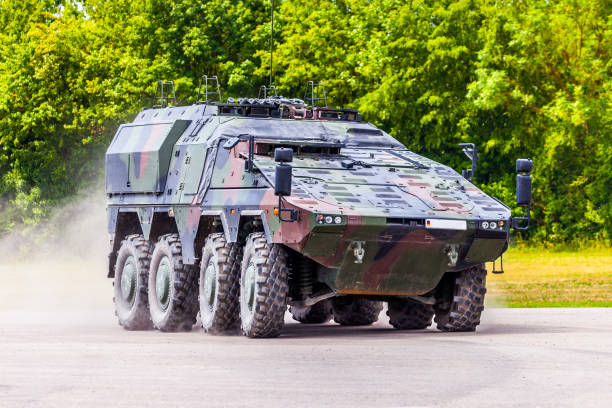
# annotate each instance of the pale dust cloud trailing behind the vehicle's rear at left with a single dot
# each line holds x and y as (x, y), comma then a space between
(60, 264)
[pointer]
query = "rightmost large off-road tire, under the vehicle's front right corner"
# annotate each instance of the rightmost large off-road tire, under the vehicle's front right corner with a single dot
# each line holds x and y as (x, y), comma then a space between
(460, 309)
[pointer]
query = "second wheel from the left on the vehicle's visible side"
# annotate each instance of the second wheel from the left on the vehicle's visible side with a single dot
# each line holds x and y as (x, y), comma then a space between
(173, 291)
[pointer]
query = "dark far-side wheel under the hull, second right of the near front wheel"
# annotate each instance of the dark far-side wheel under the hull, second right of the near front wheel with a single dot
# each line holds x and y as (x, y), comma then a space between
(355, 310)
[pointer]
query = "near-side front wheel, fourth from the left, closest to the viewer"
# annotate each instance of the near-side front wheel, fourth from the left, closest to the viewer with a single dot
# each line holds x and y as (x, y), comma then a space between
(263, 287)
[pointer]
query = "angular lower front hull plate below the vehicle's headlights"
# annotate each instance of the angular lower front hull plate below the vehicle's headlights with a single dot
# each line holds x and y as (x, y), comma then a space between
(400, 259)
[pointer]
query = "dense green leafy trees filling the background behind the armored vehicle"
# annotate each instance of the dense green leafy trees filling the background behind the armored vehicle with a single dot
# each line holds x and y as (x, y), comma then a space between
(518, 78)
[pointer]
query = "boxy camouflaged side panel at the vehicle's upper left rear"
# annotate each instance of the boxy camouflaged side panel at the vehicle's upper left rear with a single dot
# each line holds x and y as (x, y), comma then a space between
(139, 156)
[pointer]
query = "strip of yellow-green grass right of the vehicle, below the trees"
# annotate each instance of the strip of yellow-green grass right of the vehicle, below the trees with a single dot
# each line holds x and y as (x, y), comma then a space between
(549, 278)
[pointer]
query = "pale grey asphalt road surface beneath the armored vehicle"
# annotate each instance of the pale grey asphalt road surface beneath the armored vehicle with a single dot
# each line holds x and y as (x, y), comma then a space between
(518, 357)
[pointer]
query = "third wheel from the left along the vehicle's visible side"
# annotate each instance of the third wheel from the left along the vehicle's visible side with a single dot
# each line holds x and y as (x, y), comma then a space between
(220, 284)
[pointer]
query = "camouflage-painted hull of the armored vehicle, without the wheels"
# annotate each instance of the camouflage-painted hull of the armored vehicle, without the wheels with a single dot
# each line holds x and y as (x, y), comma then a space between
(188, 164)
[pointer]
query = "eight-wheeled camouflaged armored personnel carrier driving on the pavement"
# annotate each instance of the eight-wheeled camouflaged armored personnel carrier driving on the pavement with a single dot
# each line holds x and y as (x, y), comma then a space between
(239, 209)
